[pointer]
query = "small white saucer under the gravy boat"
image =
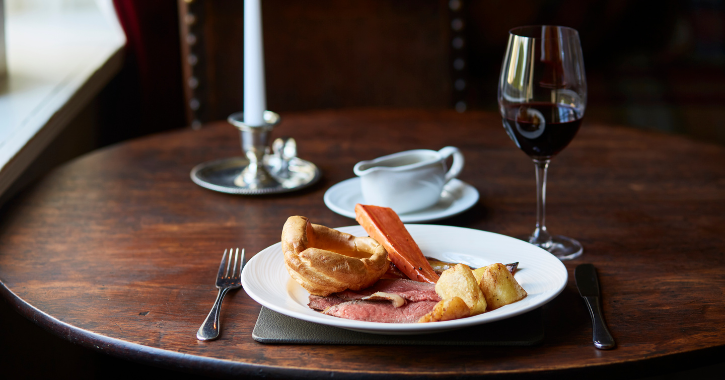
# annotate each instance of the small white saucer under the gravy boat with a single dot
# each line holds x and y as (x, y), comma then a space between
(457, 197)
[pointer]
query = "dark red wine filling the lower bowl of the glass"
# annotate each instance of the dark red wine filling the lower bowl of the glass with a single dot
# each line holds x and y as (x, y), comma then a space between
(541, 130)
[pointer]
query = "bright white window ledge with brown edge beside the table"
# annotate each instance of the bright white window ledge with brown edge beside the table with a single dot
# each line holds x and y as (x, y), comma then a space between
(59, 54)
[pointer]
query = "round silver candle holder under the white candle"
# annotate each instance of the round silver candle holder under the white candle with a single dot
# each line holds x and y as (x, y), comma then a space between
(263, 170)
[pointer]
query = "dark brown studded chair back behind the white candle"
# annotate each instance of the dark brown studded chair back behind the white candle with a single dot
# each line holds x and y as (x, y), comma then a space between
(322, 54)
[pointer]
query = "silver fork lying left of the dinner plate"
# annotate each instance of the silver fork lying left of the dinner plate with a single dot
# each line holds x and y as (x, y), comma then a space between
(225, 281)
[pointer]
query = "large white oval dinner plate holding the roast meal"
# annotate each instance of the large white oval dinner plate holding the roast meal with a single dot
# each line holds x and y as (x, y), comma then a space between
(542, 275)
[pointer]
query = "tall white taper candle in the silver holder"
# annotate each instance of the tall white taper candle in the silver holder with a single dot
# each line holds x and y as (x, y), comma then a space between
(255, 97)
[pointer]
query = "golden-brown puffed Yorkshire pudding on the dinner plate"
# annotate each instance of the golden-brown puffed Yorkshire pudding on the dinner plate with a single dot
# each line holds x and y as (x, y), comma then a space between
(326, 261)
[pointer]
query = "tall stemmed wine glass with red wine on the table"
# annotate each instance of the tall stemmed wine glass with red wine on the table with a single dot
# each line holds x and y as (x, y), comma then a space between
(542, 94)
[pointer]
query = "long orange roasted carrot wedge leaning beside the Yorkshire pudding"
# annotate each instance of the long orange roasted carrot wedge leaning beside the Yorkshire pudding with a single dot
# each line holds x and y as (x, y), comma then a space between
(384, 225)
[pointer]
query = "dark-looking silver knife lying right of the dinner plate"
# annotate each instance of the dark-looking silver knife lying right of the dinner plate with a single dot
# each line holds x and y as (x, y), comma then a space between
(588, 284)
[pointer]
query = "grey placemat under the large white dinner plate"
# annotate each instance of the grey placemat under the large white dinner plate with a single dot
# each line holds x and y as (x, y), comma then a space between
(523, 330)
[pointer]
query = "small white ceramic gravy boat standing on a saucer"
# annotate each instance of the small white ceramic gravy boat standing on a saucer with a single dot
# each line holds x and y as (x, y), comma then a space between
(408, 181)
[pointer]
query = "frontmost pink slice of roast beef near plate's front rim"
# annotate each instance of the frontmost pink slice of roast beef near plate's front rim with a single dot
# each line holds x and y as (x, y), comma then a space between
(383, 312)
